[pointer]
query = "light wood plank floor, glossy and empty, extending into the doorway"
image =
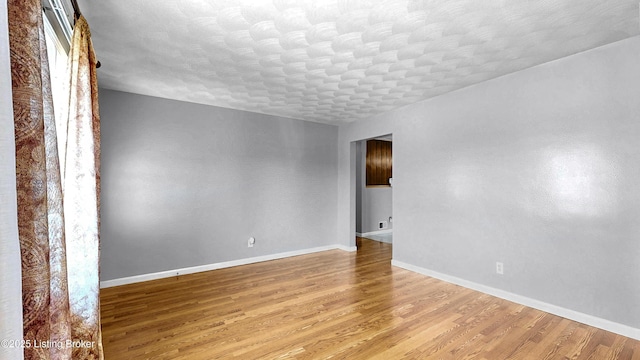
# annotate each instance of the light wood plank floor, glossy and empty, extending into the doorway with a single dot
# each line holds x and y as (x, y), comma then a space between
(337, 305)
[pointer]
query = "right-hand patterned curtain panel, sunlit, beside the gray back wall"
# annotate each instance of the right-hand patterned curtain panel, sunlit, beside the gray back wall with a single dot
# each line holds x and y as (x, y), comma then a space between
(82, 194)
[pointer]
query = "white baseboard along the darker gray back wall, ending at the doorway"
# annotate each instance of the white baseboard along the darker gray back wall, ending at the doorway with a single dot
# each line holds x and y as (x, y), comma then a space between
(226, 264)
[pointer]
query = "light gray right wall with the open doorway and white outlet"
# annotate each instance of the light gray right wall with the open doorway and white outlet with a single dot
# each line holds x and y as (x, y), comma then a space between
(537, 169)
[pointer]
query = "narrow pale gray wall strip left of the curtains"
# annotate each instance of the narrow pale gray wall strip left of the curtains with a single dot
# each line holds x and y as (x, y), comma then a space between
(10, 265)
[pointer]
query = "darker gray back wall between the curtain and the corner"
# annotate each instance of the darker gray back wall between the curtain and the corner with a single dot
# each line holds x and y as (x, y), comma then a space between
(186, 184)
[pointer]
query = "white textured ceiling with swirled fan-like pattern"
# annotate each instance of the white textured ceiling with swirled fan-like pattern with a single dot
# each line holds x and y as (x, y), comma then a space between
(336, 61)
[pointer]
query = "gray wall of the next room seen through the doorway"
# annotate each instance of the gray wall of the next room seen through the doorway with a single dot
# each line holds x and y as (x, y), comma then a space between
(373, 204)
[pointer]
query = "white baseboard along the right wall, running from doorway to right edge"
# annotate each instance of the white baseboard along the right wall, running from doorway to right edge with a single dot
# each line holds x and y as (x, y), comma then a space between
(590, 320)
